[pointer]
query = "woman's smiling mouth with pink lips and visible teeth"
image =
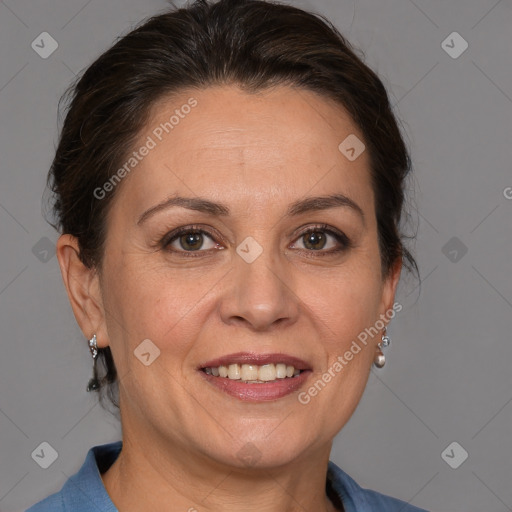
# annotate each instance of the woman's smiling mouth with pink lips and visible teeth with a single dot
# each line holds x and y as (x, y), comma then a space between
(256, 377)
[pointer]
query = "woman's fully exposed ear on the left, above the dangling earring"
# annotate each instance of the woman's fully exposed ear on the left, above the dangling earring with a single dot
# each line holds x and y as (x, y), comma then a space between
(83, 288)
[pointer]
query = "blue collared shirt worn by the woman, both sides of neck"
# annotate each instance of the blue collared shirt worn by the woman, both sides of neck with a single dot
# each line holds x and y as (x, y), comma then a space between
(85, 492)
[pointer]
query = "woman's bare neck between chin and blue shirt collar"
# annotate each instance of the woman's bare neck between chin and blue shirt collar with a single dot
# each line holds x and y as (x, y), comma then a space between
(146, 476)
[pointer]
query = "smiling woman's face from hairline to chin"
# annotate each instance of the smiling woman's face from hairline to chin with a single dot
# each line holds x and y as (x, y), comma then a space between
(262, 275)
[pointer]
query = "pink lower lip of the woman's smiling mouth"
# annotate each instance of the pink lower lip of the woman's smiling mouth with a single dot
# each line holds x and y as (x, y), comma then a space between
(258, 392)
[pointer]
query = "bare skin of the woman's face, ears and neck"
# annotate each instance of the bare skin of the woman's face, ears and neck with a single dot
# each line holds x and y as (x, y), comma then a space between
(255, 153)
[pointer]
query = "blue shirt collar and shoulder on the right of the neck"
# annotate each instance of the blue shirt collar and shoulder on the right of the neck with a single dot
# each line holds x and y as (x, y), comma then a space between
(355, 498)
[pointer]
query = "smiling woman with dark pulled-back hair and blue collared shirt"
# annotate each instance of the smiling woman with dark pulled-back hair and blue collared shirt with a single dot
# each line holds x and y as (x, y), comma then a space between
(229, 186)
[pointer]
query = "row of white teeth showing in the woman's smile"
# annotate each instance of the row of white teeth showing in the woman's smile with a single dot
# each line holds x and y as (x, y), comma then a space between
(252, 373)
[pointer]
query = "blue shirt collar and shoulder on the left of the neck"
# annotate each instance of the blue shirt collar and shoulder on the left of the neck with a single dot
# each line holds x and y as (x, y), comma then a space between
(84, 490)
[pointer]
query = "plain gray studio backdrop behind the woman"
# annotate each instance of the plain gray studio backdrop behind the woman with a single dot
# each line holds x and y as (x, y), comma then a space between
(448, 376)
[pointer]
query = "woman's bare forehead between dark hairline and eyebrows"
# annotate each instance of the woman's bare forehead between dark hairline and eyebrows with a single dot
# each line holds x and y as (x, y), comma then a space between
(276, 144)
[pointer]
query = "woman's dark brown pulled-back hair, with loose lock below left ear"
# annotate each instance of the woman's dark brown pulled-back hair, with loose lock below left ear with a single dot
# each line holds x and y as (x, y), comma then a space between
(251, 43)
